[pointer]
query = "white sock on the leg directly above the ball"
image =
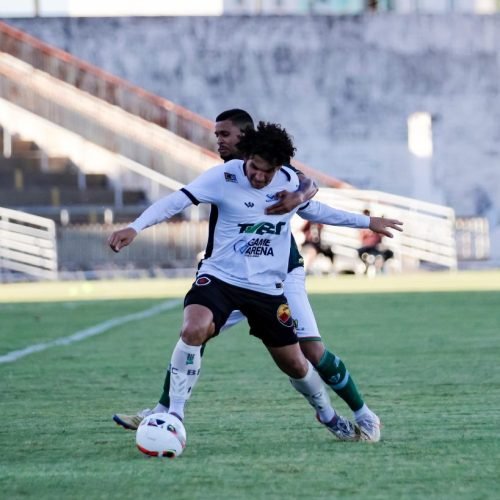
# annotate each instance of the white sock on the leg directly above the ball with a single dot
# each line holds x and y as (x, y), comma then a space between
(184, 372)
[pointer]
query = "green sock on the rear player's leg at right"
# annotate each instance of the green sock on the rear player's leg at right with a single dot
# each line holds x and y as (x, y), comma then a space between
(334, 373)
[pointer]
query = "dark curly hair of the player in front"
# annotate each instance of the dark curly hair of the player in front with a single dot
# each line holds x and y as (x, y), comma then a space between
(270, 141)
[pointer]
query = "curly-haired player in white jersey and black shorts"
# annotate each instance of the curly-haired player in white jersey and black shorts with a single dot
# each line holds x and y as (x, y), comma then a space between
(244, 266)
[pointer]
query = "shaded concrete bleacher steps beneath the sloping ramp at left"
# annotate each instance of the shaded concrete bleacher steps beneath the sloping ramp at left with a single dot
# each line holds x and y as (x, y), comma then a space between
(32, 181)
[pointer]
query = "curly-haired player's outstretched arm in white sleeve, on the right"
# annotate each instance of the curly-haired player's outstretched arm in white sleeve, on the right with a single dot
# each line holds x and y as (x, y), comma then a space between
(324, 214)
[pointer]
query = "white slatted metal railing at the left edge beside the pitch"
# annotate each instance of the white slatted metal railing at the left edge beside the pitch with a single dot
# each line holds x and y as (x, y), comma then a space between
(28, 244)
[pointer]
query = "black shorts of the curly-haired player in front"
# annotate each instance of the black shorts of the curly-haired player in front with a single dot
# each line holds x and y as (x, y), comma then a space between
(269, 316)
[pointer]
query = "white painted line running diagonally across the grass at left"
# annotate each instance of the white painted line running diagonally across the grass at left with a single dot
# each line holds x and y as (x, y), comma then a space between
(89, 332)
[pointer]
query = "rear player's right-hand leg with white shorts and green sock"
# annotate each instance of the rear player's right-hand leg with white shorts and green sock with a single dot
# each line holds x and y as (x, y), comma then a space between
(330, 367)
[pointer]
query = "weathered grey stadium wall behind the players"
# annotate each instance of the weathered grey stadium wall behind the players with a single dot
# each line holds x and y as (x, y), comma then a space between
(344, 86)
